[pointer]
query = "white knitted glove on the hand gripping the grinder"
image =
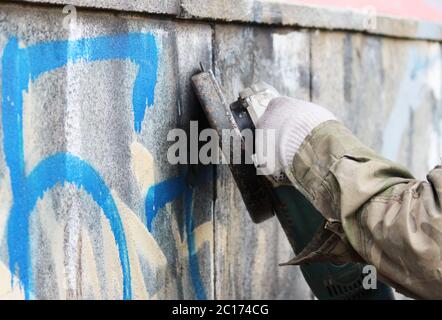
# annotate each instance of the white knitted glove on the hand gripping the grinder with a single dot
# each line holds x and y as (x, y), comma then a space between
(292, 121)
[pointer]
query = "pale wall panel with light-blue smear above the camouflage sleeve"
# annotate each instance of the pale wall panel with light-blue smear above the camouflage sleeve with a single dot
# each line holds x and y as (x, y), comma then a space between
(387, 91)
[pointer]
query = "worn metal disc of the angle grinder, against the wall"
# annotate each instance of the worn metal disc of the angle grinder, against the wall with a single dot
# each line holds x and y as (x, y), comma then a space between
(255, 189)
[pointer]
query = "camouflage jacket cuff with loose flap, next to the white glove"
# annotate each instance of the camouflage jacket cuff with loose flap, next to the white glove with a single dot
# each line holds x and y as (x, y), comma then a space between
(310, 173)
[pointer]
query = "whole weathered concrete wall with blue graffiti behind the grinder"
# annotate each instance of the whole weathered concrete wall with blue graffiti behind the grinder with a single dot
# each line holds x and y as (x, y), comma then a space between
(90, 207)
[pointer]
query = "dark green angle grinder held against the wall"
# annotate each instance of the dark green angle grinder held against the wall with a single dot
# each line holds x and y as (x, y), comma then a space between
(265, 198)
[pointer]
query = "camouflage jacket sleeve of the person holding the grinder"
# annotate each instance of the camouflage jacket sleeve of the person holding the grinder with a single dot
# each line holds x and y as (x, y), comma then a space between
(392, 220)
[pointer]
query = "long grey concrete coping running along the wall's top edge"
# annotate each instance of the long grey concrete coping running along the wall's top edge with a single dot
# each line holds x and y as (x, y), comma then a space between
(271, 13)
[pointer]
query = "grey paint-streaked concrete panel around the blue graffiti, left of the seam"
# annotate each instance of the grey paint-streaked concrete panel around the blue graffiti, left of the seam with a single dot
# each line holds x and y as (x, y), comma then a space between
(85, 109)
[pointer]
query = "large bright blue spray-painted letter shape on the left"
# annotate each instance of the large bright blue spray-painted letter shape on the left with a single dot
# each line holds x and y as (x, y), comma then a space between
(24, 65)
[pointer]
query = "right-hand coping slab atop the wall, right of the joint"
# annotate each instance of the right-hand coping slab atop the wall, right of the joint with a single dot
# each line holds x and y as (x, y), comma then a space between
(308, 16)
